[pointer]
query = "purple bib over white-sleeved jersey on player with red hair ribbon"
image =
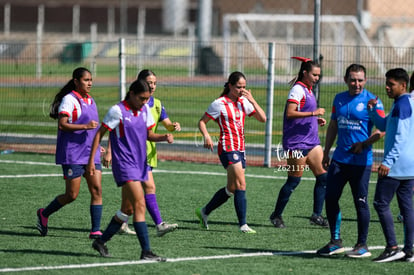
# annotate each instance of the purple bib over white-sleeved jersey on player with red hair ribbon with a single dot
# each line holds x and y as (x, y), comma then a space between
(301, 133)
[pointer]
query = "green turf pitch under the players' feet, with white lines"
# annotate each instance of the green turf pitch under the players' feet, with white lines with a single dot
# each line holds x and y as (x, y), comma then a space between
(31, 181)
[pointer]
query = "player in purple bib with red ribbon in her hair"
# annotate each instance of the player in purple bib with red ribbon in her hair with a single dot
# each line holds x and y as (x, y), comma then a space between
(301, 142)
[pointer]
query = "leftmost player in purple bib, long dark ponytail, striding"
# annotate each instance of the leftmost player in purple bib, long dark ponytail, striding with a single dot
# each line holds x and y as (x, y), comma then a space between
(77, 124)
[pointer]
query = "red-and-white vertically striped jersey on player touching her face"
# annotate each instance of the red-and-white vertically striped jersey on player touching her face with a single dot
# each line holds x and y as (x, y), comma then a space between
(230, 117)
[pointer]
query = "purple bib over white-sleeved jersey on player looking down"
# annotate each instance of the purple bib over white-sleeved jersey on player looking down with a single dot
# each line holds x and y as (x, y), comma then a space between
(129, 130)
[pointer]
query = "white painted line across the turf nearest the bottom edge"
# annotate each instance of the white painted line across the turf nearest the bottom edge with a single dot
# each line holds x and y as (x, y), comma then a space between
(170, 260)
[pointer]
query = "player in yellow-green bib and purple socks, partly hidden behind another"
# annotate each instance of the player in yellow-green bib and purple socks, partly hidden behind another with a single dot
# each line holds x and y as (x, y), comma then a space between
(160, 115)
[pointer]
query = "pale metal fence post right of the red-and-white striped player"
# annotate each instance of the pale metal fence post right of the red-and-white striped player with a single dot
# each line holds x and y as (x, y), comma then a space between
(269, 105)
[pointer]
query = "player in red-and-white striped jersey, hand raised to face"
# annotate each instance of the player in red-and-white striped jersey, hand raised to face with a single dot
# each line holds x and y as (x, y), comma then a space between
(229, 111)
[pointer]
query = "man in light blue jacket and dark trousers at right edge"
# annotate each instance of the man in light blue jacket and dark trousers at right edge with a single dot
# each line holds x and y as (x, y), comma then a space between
(396, 172)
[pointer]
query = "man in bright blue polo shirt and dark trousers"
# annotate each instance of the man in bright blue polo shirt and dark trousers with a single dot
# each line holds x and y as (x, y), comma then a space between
(351, 160)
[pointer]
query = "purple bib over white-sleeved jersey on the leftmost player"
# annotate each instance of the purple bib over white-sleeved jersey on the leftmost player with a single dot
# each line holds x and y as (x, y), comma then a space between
(75, 147)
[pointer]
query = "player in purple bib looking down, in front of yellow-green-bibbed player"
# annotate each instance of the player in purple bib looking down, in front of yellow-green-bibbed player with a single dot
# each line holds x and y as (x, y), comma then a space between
(130, 124)
